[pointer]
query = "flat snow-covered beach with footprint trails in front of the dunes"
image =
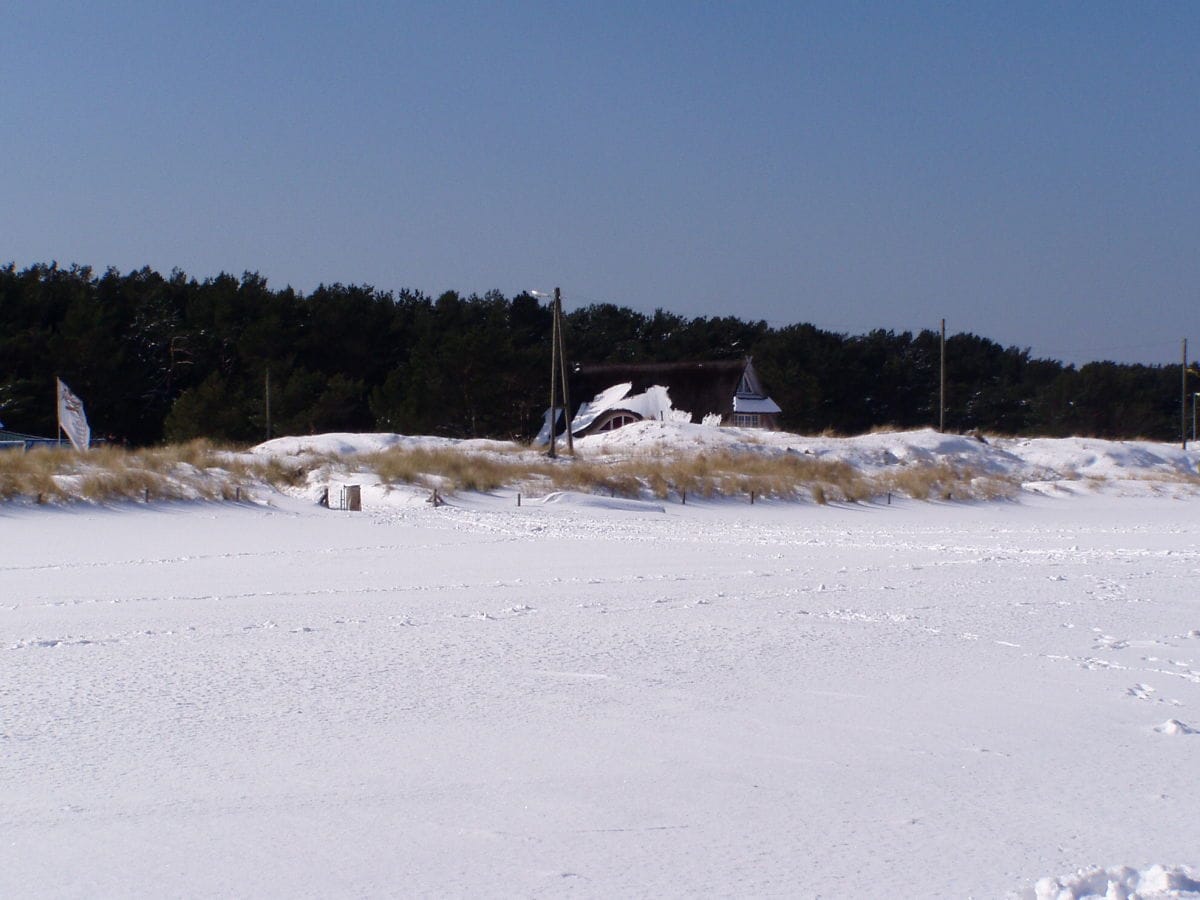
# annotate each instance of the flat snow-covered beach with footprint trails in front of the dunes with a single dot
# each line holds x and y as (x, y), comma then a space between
(569, 699)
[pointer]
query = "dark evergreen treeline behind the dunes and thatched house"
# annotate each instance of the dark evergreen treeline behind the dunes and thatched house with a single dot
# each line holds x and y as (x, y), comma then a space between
(173, 358)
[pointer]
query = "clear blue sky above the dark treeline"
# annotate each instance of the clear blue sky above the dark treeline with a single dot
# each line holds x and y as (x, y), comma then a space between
(1028, 171)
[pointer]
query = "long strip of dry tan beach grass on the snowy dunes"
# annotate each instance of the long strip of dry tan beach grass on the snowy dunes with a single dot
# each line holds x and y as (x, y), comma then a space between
(202, 471)
